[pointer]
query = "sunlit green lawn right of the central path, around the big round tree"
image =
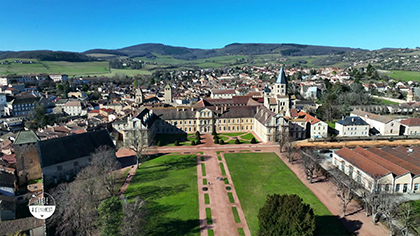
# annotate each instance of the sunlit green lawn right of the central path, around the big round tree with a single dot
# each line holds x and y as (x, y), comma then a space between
(257, 174)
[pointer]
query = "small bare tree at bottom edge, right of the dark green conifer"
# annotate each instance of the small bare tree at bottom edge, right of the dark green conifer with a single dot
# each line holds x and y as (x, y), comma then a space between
(134, 218)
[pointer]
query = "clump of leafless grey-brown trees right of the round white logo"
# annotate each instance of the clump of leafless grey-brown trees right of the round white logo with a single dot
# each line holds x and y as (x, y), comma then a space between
(78, 201)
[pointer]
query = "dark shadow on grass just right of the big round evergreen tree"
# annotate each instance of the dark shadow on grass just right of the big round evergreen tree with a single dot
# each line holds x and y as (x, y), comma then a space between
(334, 225)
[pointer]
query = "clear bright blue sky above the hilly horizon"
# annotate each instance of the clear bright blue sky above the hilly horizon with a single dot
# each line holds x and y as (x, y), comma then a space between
(80, 25)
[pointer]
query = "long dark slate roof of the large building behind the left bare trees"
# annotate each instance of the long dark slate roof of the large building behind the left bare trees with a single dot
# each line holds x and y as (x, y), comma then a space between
(58, 150)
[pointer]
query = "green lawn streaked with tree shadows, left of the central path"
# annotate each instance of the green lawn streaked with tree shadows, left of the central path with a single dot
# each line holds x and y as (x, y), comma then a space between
(168, 184)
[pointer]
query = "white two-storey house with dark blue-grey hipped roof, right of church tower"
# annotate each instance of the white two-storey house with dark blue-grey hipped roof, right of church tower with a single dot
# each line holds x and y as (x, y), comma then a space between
(352, 126)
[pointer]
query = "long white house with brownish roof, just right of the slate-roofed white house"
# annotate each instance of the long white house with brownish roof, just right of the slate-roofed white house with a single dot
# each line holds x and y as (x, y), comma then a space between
(379, 124)
